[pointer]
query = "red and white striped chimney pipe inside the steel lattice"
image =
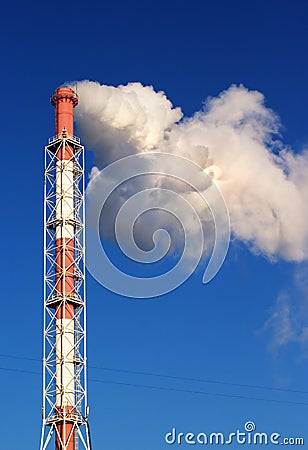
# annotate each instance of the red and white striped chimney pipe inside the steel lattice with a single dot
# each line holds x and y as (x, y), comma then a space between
(64, 100)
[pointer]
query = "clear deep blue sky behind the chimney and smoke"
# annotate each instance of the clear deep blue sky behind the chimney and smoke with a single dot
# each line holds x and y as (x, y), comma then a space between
(216, 332)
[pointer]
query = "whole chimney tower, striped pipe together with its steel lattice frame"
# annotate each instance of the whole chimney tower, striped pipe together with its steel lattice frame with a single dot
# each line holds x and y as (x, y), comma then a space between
(65, 410)
